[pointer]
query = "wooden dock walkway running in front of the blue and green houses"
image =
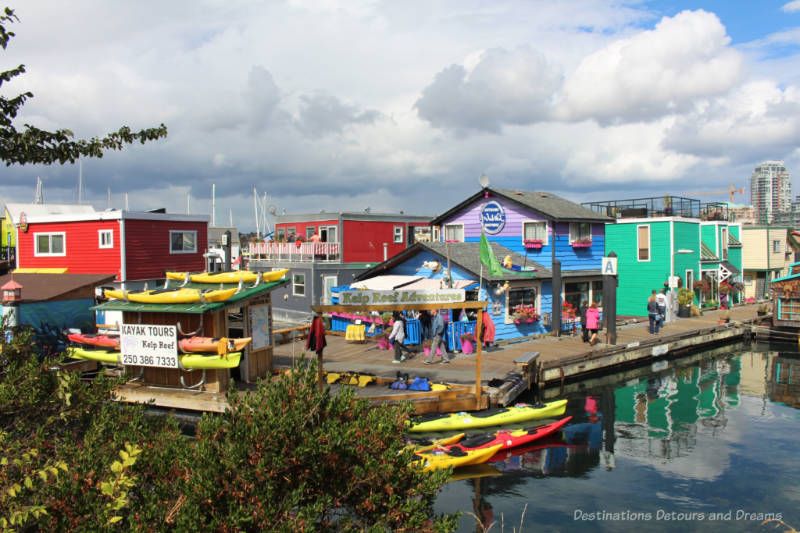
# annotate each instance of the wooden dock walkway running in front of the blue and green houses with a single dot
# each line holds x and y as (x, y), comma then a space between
(561, 358)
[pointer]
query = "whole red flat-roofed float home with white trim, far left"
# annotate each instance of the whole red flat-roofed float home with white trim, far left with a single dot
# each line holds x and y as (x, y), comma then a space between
(133, 246)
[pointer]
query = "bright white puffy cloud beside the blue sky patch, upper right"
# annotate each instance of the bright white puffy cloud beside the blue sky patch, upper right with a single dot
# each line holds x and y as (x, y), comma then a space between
(654, 73)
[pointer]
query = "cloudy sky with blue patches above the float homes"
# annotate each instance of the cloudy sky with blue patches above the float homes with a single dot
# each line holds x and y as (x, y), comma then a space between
(343, 105)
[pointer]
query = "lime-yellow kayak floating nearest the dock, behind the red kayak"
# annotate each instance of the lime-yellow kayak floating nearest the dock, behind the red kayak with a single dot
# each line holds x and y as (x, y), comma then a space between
(490, 417)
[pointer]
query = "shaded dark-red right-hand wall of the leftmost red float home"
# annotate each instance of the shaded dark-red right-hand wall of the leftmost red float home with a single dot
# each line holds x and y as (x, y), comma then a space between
(147, 248)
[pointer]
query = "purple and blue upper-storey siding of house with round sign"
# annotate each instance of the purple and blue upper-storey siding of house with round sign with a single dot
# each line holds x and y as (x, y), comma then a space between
(511, 236)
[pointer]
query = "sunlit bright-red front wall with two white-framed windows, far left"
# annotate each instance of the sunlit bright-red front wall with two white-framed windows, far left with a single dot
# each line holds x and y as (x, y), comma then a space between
(81, 244)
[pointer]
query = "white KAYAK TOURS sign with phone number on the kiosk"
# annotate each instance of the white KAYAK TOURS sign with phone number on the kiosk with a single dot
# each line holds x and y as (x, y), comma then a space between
(149, 345)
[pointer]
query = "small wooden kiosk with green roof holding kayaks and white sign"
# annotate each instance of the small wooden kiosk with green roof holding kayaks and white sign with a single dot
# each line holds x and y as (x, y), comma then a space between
(202, 389)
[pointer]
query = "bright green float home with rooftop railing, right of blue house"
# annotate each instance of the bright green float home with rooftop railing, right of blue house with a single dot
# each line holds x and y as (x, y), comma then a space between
(658, 240)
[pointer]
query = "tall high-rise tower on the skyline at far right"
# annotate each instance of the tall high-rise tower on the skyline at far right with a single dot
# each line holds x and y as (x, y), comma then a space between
(770, 190)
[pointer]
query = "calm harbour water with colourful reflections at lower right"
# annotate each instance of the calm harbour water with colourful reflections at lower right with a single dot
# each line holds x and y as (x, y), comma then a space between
(703, 443)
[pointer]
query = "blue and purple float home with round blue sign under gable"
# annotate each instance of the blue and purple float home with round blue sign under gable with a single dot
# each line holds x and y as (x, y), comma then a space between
(526, 230)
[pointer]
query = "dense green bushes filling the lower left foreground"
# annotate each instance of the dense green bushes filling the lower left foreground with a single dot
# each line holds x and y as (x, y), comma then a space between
(285, 457)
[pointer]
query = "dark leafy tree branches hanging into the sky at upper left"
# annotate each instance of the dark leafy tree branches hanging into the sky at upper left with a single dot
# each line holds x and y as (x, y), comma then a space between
(34, 145)
